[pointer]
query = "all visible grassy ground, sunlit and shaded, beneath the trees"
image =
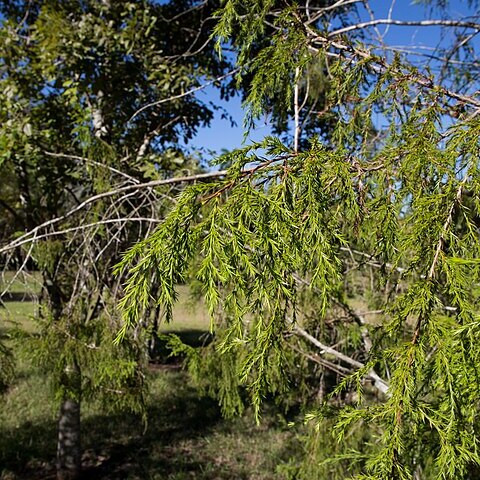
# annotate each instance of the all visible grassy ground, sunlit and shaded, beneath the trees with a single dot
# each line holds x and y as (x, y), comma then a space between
(185, 438)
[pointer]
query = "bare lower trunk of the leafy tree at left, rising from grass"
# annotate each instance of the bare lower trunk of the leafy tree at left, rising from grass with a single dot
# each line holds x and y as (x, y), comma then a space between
(68, 443)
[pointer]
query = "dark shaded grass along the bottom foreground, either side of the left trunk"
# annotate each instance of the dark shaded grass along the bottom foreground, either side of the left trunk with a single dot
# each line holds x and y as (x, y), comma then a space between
(185, 438)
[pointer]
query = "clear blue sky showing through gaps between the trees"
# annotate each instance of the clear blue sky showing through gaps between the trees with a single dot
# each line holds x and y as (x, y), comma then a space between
(221, 135)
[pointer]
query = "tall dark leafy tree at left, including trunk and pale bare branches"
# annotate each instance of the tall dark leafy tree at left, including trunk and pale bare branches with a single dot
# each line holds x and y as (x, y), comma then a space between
(84, 121)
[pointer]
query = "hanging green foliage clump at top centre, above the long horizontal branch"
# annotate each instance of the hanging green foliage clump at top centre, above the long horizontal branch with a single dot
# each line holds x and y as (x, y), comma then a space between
(268, 51)
